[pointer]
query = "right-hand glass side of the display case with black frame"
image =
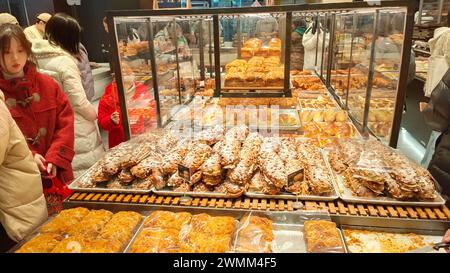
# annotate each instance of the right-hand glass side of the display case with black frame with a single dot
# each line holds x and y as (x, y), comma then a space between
(367, 70)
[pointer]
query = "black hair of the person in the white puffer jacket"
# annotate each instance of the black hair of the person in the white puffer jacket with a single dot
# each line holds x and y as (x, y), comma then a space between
(63, 30)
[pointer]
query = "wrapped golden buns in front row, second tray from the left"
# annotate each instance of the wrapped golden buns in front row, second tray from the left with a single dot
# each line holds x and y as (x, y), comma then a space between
(165, 231)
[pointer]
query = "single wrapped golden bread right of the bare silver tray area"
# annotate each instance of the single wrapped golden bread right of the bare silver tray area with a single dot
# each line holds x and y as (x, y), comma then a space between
(322, 236)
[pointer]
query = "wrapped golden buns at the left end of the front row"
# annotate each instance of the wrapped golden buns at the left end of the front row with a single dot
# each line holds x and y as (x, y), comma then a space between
(79, 230)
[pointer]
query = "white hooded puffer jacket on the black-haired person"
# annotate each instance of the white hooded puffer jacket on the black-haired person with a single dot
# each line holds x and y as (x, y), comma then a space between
(60, 65)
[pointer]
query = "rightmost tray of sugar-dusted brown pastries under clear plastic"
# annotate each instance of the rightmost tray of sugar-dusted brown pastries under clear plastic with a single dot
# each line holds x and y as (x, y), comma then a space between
(370, 171)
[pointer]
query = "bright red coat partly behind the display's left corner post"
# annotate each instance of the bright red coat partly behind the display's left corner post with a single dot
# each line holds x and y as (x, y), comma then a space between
(109, 103)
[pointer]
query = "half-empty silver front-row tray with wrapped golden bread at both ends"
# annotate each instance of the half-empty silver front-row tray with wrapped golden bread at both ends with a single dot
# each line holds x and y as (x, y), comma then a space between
(281, 232)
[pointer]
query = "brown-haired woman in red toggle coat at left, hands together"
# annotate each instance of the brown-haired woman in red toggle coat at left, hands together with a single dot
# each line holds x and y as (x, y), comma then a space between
(37, 104)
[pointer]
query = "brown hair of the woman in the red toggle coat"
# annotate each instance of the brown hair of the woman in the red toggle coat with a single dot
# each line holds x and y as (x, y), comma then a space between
(11, 31)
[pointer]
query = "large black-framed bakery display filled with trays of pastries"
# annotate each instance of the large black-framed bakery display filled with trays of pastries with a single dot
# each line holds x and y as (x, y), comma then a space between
(227, 172)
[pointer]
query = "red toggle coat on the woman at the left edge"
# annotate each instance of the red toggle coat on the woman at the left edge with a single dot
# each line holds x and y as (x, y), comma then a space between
(45, 117)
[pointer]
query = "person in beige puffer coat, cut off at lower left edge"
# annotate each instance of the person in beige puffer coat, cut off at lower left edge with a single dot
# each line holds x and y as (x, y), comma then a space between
(22, 202)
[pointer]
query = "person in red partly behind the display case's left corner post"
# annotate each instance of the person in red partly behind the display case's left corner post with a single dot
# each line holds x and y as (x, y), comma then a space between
(110, 116)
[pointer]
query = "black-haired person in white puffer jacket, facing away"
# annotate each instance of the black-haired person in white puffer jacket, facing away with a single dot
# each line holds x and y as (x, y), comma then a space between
(57, 57)
